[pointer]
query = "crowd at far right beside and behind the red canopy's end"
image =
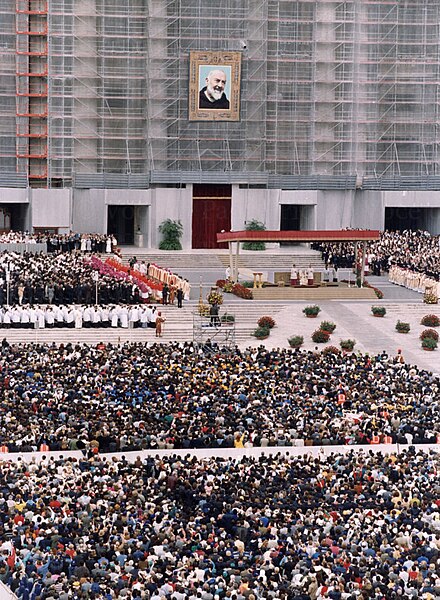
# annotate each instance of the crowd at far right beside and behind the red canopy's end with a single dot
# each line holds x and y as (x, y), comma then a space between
(418, 251)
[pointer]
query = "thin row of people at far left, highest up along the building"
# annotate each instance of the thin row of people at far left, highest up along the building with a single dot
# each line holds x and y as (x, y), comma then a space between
(63, 242)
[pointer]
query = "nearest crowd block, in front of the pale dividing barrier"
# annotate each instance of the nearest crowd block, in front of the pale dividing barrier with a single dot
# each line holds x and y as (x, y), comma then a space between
(352, 527)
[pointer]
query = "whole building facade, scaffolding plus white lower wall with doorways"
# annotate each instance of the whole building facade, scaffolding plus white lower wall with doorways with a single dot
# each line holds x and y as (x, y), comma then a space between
(338, 115)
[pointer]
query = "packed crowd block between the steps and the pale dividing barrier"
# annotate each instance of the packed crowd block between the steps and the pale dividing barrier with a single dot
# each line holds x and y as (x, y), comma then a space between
(137, 396)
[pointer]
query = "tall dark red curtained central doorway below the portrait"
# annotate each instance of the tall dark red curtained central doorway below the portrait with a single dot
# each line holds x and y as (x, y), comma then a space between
(211, 214)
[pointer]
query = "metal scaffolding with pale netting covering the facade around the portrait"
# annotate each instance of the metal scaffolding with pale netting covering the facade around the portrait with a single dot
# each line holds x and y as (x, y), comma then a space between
(328, 88)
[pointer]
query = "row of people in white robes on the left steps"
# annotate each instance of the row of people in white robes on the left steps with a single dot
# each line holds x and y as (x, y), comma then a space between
(78, 316)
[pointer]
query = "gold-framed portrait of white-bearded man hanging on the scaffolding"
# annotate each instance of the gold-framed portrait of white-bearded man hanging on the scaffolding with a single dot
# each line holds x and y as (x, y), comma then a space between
(214, 86)
